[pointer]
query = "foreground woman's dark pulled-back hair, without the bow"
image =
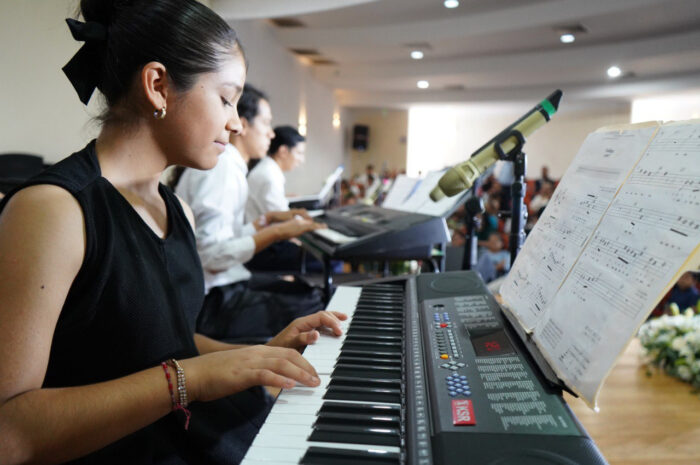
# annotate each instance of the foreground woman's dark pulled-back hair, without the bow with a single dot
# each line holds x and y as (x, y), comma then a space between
(184, 35)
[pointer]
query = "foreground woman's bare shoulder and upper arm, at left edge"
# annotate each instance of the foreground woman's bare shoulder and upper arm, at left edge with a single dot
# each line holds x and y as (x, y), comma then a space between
(42, 245)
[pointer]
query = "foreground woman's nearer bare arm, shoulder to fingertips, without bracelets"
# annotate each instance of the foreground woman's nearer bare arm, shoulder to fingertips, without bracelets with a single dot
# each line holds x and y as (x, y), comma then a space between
(41, 250)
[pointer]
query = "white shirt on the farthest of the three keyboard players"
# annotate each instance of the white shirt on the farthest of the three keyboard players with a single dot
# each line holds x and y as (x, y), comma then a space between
(266, 189)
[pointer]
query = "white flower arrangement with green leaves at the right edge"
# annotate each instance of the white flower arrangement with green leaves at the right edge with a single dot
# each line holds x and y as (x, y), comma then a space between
(672, 342)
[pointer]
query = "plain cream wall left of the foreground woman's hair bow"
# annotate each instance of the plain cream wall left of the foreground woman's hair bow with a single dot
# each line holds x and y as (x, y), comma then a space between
(39, 110)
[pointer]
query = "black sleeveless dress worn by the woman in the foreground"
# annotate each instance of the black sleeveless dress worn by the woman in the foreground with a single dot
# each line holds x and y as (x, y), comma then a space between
(132, 305)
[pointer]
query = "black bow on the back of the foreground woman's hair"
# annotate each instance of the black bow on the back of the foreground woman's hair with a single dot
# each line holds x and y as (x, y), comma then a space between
(83, 70)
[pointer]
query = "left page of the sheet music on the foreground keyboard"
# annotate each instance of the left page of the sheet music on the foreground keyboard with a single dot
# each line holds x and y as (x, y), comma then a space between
(583, 195)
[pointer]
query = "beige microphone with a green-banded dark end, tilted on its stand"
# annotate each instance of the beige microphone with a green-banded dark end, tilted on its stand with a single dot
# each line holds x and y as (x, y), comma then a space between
(461, 177)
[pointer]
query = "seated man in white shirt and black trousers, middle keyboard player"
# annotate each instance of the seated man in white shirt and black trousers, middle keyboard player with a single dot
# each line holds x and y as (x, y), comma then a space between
(239, 305)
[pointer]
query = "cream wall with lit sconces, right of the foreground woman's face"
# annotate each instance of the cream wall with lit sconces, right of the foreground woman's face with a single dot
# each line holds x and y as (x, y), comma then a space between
(294, 92)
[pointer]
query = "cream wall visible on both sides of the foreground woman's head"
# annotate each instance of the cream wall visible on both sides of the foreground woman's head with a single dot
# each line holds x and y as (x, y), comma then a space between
(40, 112)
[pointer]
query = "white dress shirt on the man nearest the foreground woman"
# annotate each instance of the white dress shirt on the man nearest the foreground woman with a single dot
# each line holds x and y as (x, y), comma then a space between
(217, 198)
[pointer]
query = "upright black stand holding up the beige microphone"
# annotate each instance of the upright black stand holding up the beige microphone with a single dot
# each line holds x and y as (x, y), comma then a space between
(517, 190)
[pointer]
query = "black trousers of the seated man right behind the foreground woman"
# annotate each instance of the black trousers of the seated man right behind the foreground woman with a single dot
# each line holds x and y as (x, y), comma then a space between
(258, 308)
